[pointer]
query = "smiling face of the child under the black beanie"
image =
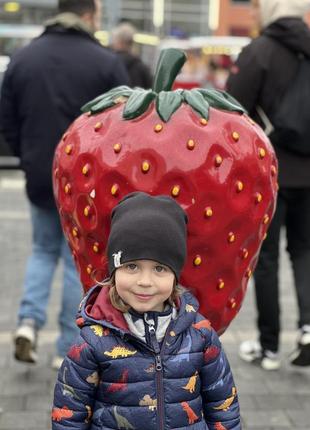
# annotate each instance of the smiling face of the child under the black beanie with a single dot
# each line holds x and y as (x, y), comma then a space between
(144, 285)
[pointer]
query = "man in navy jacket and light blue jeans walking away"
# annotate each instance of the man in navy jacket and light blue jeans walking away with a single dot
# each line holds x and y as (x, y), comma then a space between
(44, 87)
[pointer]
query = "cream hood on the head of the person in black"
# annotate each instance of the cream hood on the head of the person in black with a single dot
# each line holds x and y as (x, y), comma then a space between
(272, 10)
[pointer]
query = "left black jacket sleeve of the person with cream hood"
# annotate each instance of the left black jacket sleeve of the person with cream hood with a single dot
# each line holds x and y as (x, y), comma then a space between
(246, 78)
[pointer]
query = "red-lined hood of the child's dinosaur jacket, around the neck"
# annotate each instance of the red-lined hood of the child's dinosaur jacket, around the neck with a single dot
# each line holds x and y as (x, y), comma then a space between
(96, 308)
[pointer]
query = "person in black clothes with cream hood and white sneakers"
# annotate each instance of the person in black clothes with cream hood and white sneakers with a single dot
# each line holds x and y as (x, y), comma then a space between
(259, 80)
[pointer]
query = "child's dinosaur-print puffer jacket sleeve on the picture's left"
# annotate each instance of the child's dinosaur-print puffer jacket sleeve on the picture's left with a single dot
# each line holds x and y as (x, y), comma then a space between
(75, 388)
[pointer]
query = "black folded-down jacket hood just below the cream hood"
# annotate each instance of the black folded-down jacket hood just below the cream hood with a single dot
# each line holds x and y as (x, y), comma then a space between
(291, 32)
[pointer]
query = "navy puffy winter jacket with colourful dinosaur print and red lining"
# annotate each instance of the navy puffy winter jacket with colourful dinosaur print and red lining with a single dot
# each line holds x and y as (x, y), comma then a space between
(112, 380)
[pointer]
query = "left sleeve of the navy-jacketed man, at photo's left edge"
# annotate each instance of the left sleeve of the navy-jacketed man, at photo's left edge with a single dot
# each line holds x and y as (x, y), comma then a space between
(9, 119)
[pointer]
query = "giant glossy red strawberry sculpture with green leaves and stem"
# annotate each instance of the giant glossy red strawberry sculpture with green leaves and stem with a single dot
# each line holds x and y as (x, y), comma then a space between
(198, 146)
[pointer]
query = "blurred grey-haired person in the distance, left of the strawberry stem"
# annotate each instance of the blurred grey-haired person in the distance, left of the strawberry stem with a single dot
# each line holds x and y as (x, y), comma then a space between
(122, 42)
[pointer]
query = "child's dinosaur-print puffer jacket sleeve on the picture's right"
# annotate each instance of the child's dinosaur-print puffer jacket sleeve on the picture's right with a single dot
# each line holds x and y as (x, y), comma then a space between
(220, 400)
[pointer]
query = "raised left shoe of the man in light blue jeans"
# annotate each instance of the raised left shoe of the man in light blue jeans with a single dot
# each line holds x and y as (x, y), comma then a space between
(25, 339)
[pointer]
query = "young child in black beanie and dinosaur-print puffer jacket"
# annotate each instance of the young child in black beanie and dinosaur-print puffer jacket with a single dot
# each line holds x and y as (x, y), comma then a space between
(145, 359)
